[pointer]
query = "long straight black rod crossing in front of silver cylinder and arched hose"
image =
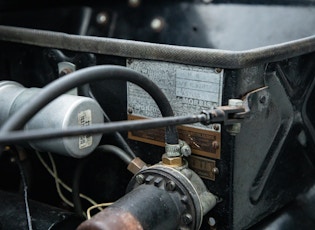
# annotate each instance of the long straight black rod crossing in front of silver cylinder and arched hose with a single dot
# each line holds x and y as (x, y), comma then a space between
(116, 126)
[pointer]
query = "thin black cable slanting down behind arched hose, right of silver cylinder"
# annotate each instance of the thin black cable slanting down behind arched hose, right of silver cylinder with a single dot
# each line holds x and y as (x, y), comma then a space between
(85, 90)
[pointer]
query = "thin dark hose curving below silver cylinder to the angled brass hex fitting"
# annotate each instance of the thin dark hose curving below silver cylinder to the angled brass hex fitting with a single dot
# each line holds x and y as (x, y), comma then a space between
(82, 163)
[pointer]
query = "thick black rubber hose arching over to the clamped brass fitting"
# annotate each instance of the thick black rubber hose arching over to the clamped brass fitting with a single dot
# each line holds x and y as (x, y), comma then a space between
(84, 76)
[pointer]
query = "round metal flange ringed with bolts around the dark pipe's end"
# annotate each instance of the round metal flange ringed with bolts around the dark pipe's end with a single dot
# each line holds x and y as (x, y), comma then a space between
(178, 183)
